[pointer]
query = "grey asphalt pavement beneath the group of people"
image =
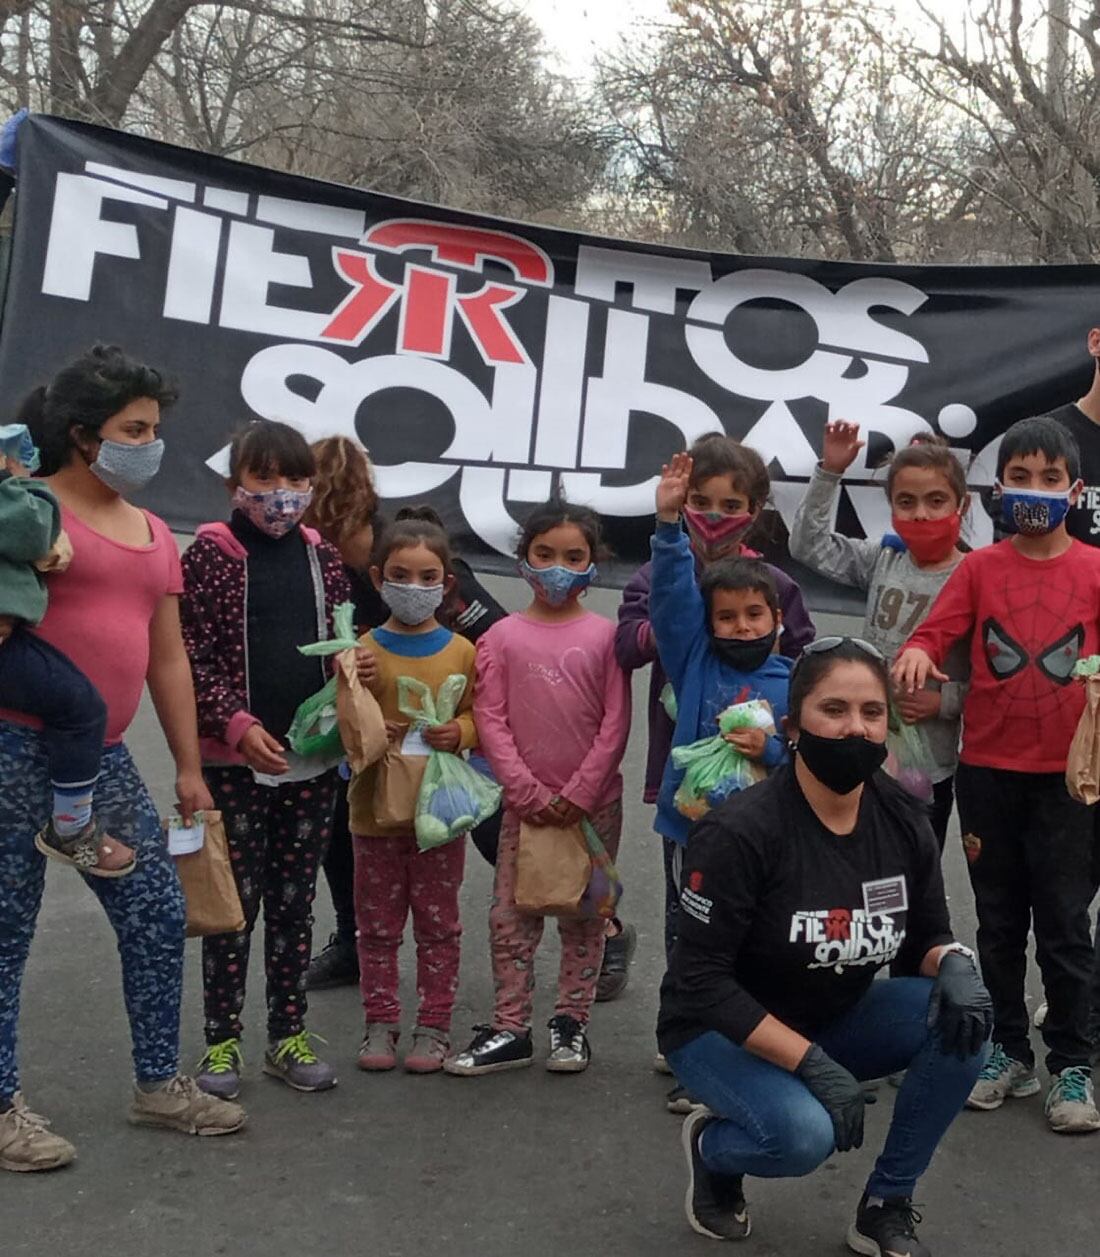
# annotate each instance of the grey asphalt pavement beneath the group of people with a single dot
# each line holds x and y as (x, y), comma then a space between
(527, 1162)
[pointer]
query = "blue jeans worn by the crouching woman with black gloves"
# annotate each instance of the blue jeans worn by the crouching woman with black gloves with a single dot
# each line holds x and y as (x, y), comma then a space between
(773, 1127)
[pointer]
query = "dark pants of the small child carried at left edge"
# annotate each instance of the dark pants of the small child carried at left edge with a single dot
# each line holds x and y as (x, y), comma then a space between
(37, 679)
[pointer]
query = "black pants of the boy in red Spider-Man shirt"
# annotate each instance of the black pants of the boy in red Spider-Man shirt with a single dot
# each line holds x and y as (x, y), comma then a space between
(1030, 853)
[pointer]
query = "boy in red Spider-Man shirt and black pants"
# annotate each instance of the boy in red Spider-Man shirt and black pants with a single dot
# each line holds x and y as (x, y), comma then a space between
(1031, 607)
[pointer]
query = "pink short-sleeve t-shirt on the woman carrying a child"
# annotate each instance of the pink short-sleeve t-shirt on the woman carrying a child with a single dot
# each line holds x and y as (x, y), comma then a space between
(101, 609)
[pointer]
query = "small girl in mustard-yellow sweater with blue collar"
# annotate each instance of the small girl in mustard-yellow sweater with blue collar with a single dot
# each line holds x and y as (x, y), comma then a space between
(413, 573)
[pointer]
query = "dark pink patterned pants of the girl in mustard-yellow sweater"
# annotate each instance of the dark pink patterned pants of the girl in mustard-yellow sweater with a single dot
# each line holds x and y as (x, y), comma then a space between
(393, 877)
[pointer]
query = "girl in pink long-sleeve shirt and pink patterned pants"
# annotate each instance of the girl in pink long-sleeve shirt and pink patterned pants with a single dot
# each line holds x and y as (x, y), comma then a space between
(553, 708)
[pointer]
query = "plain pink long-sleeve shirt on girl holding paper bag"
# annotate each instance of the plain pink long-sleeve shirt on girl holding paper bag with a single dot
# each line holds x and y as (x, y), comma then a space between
(553, 708)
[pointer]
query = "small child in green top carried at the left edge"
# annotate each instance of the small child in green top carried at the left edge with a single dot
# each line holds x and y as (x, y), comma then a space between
(37, 679)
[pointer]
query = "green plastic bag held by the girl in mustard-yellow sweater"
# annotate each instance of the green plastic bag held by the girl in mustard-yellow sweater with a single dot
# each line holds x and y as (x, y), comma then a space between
(453, 798)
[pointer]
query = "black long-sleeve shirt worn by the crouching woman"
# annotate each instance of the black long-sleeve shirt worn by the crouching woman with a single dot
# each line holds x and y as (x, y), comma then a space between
(779, 916)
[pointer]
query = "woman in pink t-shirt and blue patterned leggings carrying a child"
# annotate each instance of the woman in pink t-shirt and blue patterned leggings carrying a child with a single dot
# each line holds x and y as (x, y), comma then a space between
(115, 613)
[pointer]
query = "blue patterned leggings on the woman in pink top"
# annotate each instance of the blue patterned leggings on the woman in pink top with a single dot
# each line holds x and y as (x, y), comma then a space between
(145, 909)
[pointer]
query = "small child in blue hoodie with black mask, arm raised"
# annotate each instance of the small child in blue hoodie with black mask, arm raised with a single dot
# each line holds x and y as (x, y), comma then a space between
(717, 642)
